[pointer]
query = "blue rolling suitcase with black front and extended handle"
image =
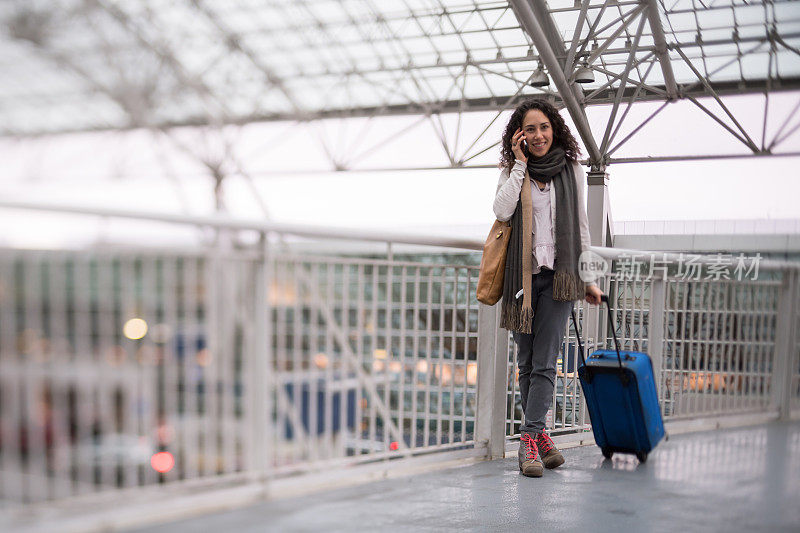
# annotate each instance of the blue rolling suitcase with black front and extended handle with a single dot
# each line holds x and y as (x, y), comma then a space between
(620, 392)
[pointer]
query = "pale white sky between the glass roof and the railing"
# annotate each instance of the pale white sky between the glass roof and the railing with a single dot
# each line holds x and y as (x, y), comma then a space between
(132, 171)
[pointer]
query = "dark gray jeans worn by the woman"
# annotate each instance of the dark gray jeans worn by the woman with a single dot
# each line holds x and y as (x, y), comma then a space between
(538, 352)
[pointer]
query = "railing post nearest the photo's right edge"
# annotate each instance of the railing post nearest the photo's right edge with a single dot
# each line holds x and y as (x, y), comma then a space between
(782, 367)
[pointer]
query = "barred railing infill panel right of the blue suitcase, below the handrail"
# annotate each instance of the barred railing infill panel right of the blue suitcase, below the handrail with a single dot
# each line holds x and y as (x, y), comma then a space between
(716, 340)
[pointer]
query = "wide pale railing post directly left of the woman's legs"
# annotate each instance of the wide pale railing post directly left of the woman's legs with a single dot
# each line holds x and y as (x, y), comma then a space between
(492, 382)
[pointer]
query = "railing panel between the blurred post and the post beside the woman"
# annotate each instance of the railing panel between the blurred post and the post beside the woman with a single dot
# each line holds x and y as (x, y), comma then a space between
(395, 340)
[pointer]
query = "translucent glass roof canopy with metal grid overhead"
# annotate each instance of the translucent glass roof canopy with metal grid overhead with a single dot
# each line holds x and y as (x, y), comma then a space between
(77, 65)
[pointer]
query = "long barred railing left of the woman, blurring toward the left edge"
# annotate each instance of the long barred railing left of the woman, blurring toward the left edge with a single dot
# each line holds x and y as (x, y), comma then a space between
(226, 363)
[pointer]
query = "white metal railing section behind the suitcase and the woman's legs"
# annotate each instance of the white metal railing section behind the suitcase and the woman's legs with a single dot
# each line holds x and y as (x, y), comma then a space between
(719, 346)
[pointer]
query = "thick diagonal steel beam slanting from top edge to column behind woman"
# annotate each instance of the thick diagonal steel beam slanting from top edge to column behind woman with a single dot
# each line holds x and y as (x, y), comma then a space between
(527, 20)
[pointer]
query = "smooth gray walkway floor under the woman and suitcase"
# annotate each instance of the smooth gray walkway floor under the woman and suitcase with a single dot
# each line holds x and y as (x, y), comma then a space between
(730, 480)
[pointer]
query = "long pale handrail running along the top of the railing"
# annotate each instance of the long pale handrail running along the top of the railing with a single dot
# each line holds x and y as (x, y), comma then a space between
(327, 232)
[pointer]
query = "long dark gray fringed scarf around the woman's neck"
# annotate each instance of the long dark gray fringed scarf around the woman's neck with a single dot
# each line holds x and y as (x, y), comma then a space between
(517, 313)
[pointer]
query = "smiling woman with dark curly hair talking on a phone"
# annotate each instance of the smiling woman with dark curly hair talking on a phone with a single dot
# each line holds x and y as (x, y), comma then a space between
(541, 192)
